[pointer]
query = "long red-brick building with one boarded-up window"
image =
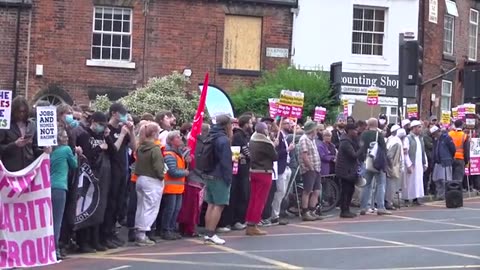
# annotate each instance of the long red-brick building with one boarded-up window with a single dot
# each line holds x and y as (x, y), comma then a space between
(73, 50)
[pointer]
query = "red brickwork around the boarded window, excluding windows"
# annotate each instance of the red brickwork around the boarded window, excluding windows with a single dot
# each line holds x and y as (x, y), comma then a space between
(179, 34)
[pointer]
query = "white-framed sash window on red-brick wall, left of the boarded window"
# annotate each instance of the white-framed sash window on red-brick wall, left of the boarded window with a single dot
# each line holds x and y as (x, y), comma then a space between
(112, 34)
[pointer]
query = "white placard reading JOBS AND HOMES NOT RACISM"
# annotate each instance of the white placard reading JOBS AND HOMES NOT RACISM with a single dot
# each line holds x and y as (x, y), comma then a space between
(46, 126)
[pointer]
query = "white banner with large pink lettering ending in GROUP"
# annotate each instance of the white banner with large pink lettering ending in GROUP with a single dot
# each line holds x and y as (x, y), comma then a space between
(26, 220)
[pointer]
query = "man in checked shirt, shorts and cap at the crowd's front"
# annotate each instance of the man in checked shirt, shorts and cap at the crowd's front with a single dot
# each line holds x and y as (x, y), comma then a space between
(310, 164)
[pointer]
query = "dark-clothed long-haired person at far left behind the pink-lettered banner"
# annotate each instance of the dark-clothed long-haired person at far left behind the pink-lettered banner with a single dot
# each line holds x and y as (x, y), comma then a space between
(18, 147)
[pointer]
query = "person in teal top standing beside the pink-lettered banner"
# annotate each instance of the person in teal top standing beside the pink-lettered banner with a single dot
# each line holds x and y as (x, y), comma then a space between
(61, 161)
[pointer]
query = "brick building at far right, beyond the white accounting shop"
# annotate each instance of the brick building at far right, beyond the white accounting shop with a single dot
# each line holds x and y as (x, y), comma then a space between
(449, 31)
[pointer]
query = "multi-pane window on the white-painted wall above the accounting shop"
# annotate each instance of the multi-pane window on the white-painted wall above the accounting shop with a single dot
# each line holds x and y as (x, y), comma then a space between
(368, 30)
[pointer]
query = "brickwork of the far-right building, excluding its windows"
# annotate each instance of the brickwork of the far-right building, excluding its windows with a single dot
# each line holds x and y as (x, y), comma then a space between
(435, 63)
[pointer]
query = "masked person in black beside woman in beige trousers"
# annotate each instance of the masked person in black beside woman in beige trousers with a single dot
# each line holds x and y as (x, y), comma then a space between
(121, 134)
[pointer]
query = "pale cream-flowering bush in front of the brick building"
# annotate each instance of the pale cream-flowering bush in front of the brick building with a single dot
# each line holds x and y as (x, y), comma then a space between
(166, 93)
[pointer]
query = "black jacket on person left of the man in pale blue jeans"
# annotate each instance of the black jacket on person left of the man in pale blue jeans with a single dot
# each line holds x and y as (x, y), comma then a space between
(346, 166)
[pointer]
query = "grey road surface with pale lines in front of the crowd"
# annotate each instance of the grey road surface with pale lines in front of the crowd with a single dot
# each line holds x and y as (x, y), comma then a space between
(425, 237)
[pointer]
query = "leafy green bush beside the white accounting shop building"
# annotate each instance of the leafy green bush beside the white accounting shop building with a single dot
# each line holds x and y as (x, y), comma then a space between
(314, 84)
